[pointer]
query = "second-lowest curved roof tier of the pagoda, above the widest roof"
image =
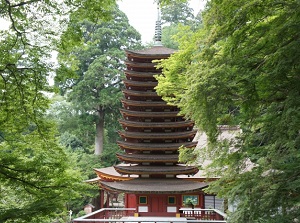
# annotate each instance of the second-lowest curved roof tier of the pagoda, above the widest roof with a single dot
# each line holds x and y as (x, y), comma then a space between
(154, 170)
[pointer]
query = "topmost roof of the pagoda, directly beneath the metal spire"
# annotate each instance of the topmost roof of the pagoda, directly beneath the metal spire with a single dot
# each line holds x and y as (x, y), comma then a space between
(155, 51)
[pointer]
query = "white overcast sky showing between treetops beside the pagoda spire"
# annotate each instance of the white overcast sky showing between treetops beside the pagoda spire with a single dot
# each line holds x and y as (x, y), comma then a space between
(142, 15)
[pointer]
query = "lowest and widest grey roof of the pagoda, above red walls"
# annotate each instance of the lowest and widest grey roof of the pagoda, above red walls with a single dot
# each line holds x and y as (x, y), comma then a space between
(157, 186)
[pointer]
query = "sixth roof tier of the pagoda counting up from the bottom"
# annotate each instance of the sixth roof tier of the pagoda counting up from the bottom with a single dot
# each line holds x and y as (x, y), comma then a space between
(178, 124)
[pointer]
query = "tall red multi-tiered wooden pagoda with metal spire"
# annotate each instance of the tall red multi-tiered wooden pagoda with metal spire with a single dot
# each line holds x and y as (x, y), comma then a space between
(150, 176)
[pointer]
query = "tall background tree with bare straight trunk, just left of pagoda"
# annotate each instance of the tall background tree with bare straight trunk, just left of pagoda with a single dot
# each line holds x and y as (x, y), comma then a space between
(96, 90)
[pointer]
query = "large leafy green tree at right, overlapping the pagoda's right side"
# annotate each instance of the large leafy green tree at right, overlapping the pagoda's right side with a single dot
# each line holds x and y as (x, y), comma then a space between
(243, 67)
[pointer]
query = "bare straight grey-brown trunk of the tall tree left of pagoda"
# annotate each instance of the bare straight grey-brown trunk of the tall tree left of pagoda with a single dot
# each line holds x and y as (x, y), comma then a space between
(99, 137)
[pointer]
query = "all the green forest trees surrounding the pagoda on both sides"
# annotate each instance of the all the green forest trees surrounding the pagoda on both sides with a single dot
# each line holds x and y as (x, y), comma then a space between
(237, 64)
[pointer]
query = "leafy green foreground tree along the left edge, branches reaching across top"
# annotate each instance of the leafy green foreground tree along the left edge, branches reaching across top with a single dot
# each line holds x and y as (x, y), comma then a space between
(36, 177)
